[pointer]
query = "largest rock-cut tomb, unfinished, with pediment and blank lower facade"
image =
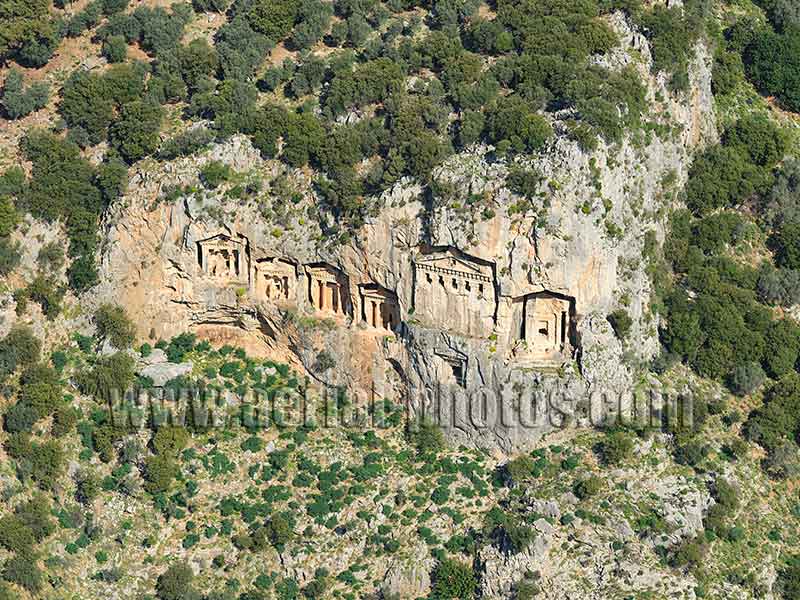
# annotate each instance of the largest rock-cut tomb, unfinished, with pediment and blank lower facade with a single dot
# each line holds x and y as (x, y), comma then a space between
(455, 292)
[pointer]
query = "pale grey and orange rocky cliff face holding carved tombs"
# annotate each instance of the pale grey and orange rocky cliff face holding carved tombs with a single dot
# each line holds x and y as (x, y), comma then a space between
(461, 287)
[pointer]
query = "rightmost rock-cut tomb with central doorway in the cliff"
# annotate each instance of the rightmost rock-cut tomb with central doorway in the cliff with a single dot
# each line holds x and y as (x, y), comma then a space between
(543, 322)
